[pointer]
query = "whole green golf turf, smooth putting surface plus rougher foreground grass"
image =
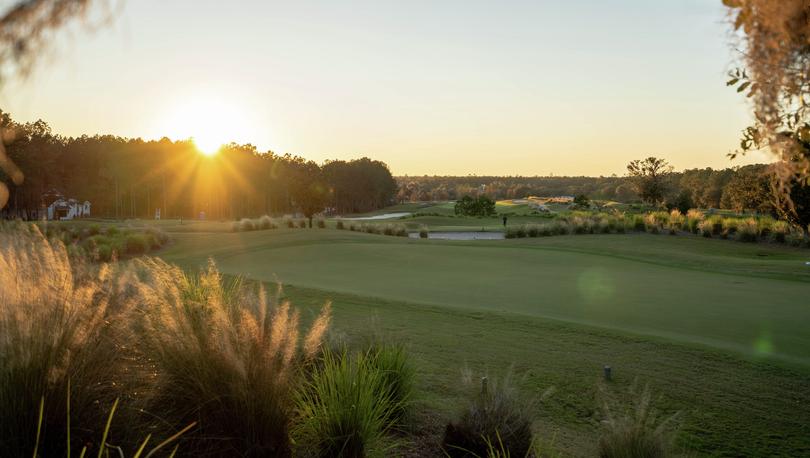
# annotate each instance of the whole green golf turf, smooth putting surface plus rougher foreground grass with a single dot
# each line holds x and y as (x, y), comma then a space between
(715, 328)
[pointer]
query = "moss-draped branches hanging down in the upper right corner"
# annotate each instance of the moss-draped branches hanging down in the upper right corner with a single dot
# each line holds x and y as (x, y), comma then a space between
(776, 62)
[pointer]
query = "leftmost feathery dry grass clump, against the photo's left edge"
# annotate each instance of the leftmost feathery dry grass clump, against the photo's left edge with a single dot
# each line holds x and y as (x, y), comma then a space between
(61, 325)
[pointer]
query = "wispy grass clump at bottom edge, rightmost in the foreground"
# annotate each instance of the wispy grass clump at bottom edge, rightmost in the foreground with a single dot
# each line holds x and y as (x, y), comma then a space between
(635, 430)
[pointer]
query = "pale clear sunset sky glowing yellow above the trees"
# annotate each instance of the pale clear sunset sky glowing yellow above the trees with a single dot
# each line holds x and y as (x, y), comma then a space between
(538, 87)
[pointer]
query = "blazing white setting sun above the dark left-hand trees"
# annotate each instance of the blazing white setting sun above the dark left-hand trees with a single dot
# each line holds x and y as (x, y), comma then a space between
(209, 121)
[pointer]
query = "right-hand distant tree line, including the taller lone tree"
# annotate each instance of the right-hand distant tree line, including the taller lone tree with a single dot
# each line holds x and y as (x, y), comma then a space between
(651, 181)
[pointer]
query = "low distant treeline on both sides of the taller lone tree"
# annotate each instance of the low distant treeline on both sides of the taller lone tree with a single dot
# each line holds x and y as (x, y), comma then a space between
(740, 188)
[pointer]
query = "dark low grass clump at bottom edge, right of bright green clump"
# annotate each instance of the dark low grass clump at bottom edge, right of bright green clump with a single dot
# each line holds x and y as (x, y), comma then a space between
(495, 415)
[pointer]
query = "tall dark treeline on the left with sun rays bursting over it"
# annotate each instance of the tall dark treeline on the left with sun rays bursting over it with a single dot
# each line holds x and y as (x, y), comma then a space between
(131, 178)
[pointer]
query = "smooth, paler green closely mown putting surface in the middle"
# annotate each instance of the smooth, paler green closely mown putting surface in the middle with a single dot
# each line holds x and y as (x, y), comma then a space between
(750, 300)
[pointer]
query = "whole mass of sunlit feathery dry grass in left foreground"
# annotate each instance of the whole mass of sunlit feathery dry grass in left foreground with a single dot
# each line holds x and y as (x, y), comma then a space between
(175, 348)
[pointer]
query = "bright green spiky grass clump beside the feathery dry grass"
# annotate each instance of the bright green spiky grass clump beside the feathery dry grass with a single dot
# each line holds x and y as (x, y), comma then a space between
(345, 409)
